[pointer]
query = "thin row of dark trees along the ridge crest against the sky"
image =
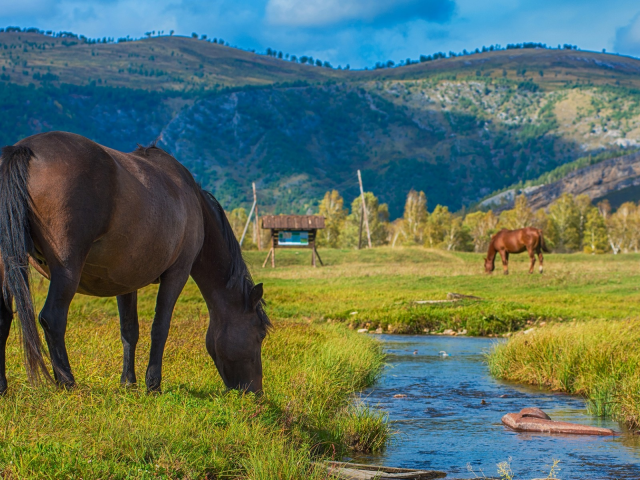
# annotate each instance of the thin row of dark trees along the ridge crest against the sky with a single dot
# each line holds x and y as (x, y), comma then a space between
(303, 59)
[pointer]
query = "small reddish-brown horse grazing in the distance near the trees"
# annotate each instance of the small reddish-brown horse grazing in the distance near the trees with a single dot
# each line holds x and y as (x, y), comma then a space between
(515, 241)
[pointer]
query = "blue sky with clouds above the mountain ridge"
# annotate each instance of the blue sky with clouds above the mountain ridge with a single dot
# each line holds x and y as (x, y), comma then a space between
(355, 32)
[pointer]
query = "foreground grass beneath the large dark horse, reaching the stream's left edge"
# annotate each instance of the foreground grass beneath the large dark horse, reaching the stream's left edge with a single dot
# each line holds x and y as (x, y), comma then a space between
(194, 429)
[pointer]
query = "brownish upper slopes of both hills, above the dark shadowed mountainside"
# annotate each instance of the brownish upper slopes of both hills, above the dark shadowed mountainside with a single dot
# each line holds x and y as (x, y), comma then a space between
(181, 63)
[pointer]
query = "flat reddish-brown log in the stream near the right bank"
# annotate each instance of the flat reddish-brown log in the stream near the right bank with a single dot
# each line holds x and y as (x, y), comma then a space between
(535, 420)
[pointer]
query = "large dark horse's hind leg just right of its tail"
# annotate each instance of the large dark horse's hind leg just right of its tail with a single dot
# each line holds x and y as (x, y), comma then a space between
(53, 318)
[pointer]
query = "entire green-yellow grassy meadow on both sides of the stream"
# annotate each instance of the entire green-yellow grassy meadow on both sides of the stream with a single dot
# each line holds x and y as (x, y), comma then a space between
(583, 310)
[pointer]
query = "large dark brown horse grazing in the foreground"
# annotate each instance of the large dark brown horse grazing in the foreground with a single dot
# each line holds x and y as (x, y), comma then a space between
(105, 223)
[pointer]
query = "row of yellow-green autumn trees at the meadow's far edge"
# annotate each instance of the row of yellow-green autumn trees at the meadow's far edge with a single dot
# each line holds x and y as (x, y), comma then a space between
(570, 224)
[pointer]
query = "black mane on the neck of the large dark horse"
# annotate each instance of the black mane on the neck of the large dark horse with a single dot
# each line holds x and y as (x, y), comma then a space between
(238, 277)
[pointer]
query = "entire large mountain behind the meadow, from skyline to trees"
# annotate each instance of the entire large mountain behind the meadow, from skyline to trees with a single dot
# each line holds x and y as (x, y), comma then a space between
(457, 128)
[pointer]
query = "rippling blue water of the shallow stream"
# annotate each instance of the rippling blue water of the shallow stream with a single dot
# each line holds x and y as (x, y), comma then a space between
(443, 425)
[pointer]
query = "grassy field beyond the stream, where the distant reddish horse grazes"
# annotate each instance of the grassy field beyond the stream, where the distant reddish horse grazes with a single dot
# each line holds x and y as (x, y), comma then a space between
(383, 284)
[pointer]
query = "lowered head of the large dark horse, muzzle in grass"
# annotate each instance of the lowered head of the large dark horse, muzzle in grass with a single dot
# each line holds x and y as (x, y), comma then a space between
(234, 340)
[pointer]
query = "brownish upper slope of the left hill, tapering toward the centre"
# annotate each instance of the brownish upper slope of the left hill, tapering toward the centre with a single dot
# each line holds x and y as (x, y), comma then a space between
(158, 63)
